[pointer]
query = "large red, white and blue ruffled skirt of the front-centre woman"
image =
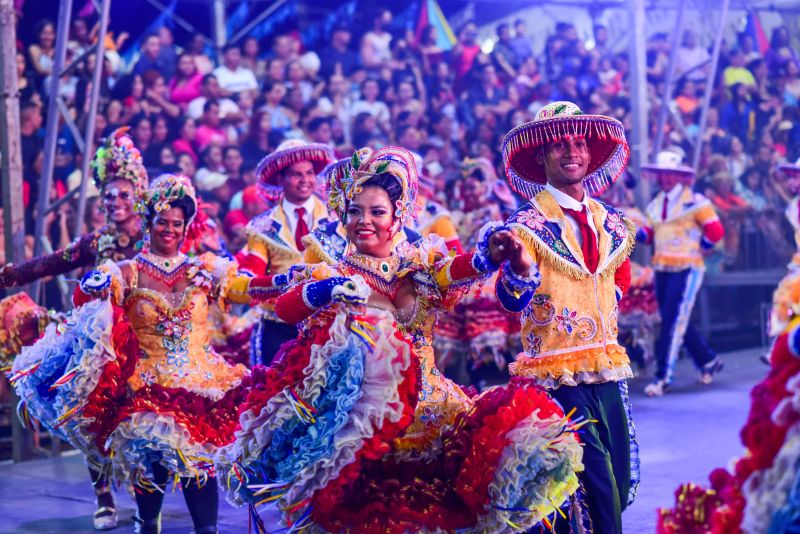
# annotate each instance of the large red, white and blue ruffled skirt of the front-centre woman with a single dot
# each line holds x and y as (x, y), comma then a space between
(319, 442)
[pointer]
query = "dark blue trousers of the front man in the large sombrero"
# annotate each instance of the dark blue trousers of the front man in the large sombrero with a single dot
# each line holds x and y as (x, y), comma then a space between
(606, 452)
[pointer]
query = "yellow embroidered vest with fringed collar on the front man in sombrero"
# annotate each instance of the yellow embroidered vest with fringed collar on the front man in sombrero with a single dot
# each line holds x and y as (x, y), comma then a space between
(569, 330)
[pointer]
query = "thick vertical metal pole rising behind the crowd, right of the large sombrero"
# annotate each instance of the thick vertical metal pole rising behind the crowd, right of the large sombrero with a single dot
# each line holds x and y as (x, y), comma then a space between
(639, 109)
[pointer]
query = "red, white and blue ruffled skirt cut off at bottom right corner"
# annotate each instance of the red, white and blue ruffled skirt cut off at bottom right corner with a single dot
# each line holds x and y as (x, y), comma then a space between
(761, 493)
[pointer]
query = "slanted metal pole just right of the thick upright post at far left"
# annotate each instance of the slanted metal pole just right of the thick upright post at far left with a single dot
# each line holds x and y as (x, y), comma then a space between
(43, 205)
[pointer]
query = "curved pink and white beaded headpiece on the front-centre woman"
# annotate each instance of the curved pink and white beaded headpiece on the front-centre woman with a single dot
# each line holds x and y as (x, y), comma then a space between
(367, 163)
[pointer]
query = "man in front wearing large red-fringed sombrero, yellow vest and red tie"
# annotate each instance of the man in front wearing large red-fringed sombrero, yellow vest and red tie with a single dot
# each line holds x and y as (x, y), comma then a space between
(569, 328)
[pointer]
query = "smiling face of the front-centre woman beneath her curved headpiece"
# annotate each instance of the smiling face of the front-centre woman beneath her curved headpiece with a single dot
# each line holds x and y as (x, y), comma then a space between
(370, 222)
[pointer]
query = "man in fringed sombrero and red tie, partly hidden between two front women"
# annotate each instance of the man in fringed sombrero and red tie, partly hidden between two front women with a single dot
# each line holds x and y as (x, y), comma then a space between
(275, 238)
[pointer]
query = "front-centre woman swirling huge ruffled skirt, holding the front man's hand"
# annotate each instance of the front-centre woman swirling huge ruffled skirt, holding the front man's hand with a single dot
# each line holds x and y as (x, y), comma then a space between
(356, 429)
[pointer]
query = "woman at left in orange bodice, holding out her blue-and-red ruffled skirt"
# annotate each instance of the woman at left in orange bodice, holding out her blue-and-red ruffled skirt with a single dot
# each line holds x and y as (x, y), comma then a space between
(132, 376)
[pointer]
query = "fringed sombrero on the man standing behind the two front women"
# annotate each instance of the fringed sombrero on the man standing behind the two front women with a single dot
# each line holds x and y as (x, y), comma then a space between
(288, 153)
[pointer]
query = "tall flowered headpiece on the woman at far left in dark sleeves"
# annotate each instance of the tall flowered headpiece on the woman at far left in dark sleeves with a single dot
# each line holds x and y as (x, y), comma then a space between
(118, 159)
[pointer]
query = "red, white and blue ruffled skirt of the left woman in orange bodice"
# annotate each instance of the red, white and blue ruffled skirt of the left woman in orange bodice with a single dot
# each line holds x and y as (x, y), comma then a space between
(75, 382)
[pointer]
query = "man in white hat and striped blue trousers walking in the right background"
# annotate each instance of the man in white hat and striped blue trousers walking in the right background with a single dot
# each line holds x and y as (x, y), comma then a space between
(682, 225)
